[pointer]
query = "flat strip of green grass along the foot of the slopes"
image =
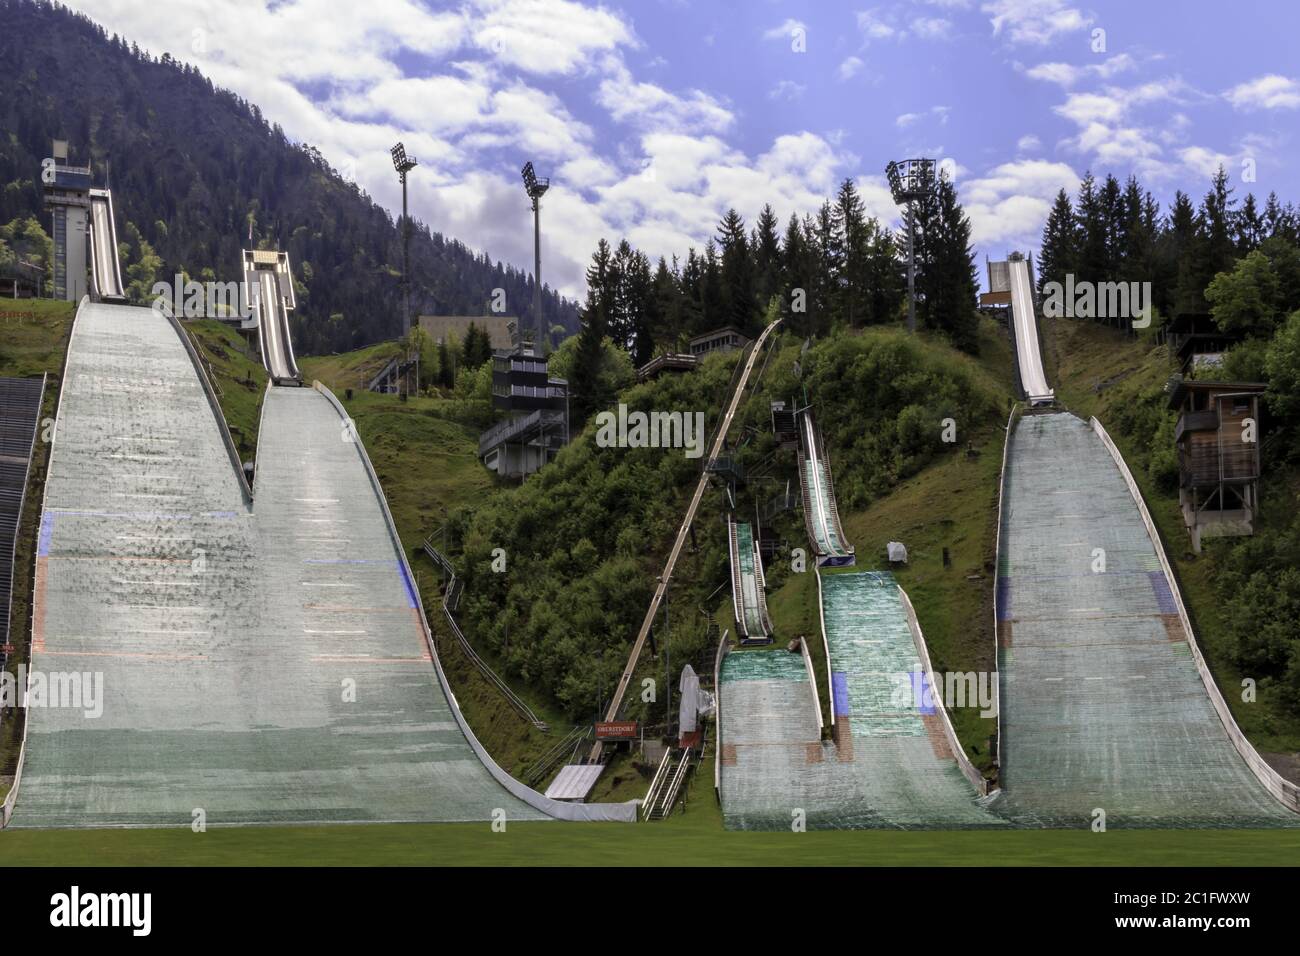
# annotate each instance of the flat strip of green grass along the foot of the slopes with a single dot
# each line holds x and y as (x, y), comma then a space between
(687, 842)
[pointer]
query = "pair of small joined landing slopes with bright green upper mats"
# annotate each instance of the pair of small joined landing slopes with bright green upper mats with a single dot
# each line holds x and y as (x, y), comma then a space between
(892, 764)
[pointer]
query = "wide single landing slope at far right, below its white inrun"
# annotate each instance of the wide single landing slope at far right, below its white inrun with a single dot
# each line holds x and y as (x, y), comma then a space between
(1102, 703)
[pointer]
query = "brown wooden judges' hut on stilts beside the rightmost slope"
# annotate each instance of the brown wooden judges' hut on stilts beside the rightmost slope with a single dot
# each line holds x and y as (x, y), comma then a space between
(1219, 456)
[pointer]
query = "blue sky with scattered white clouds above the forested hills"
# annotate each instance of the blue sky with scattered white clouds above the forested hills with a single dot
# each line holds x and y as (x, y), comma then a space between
(656, 116)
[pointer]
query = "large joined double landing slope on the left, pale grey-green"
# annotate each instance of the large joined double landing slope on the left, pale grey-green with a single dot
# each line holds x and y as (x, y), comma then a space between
(259, 664)
